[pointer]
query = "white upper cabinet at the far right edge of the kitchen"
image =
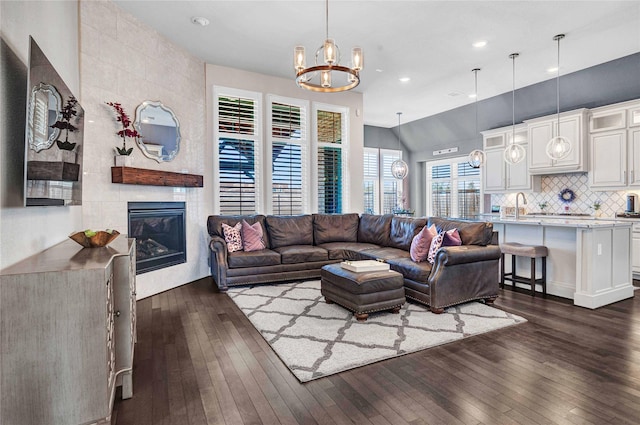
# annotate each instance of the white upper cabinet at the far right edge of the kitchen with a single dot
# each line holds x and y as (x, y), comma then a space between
(615, 146)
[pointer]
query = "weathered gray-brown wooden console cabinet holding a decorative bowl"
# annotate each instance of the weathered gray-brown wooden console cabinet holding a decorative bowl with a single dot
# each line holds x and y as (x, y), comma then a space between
(67, 333)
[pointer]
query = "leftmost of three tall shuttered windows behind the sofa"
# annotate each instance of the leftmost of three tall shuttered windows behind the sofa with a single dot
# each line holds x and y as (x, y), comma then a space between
(237, 129)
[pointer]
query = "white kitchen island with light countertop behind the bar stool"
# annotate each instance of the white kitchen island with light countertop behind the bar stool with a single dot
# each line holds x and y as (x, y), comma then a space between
(589, 260)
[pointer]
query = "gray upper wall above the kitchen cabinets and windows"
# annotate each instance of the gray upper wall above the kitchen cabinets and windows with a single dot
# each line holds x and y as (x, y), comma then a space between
(604, 84)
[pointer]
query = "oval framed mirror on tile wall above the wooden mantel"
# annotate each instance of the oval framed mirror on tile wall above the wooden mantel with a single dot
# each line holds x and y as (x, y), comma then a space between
(159, 131)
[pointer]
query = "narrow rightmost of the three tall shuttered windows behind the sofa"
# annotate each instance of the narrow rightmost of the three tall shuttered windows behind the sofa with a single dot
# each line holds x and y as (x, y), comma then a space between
(331, 129)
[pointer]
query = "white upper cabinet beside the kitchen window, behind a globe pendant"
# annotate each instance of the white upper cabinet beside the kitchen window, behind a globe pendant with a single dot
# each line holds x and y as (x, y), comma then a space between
(498, 176)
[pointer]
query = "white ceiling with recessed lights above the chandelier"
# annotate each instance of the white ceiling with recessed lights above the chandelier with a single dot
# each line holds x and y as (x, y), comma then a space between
(428, 41)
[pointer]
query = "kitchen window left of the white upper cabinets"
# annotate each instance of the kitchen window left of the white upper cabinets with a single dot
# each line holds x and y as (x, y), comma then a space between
(453, 189)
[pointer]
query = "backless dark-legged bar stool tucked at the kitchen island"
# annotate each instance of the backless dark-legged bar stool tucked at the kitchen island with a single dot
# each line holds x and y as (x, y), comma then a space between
(520, 250)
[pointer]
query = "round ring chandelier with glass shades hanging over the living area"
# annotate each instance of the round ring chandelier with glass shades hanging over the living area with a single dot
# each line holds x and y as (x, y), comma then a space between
(328, 76)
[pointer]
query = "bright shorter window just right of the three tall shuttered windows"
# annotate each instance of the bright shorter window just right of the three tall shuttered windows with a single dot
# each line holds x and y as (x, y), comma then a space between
(382, 192)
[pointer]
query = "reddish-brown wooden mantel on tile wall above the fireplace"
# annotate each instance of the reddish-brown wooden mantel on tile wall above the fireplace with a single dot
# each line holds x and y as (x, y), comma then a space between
(130, 175)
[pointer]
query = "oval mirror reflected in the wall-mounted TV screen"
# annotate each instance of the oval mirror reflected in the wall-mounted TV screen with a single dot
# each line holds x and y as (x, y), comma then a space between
(45, 109)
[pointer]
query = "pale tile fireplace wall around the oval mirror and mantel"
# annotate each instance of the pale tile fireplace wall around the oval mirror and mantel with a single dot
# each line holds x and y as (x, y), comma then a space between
(122, 60)
